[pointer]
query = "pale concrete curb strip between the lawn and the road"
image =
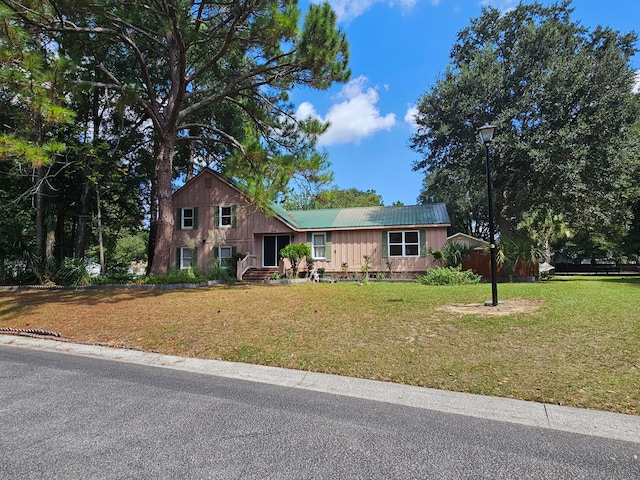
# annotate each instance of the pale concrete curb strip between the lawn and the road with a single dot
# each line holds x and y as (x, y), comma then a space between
(610, 425)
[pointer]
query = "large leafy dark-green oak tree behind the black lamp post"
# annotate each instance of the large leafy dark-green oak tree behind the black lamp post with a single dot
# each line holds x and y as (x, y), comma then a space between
(561, 97)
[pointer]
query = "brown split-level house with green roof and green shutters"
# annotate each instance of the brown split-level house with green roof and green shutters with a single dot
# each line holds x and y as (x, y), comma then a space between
(215, 219)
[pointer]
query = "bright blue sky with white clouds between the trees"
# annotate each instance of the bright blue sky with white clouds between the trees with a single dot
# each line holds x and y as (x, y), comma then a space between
(399, 48)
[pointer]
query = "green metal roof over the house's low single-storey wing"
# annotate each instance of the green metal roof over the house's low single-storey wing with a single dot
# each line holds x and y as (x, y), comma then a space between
(365, 217)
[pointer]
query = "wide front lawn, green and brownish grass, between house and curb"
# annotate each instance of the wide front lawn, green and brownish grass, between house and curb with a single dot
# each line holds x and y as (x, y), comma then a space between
(579, 345)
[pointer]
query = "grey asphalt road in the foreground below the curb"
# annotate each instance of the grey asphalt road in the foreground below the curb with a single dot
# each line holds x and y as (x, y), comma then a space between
(69, 416)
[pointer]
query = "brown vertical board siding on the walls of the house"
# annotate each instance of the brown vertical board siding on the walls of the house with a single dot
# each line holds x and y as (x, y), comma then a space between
(206, 192)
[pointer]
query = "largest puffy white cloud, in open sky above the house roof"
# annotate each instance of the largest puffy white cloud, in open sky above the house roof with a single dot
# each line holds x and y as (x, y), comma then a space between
(354, 116)
